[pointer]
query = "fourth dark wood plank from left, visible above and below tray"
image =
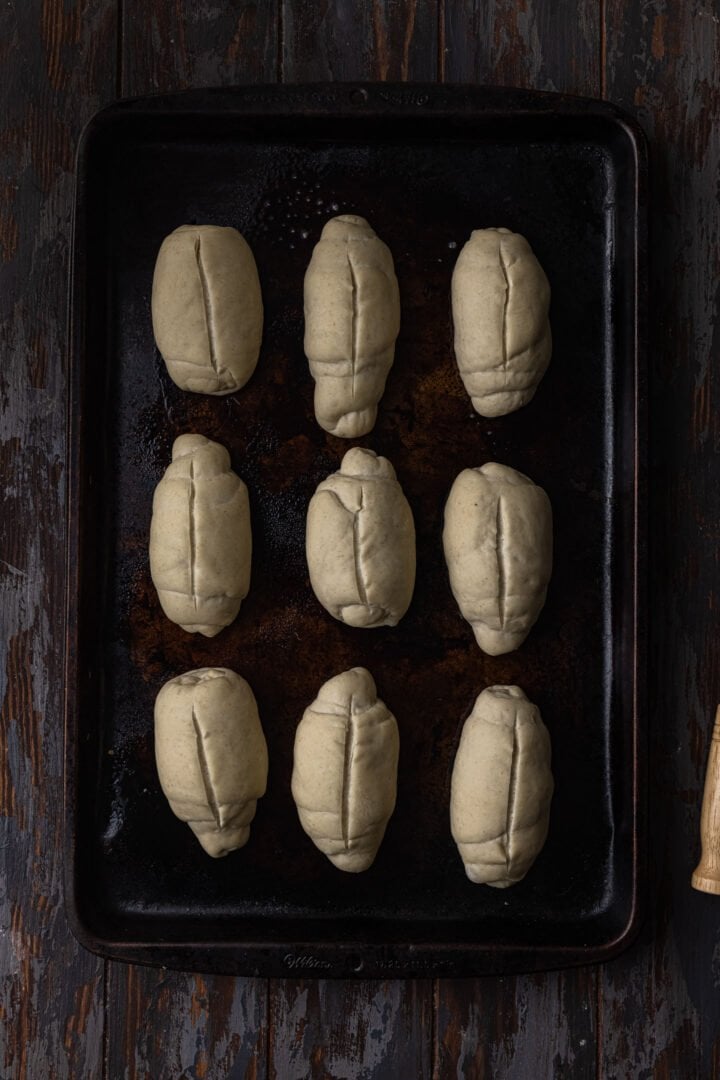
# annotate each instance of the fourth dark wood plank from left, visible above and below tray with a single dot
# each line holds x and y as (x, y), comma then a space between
(540, 1025)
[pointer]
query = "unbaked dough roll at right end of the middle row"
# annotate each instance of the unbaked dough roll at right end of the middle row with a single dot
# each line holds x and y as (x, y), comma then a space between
(498, 542)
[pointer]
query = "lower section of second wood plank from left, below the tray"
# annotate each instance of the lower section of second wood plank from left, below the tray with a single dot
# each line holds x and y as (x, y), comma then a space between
(170, 1025)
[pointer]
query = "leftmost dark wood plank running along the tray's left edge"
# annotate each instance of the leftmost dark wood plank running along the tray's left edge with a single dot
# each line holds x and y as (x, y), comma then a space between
(58, 70)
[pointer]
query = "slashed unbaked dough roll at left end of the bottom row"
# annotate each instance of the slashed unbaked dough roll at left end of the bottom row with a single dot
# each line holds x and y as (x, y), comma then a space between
(211, 755)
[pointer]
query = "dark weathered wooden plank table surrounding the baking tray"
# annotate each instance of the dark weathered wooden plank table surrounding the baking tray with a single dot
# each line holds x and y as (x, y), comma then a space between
(654, 1012)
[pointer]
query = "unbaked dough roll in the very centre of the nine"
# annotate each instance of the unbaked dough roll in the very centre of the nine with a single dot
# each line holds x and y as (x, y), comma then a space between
(360, 543)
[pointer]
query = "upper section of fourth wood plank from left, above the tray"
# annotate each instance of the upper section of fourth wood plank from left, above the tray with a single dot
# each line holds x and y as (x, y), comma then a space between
(547, 45)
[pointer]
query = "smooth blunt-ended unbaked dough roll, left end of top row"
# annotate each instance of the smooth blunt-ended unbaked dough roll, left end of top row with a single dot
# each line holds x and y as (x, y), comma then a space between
(208, 308)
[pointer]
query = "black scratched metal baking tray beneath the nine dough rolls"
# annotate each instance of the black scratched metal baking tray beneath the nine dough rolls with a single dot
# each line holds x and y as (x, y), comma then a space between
(425, 171)
